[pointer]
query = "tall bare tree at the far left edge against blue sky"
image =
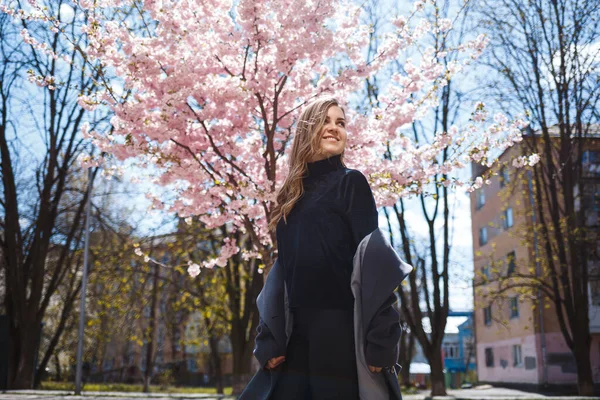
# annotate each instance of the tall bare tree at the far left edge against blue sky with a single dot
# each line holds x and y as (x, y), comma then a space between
(34, 189)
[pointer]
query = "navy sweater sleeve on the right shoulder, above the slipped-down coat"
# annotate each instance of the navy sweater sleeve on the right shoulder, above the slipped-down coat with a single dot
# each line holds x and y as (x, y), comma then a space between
(359, 205)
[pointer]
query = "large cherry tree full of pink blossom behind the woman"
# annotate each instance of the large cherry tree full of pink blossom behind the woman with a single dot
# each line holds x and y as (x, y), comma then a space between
(207, 94)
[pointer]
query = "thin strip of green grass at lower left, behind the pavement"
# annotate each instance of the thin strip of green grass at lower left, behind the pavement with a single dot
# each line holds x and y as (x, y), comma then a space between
(123, 387)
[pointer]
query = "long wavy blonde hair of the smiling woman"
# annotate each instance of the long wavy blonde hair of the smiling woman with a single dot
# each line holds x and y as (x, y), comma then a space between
(307, 143)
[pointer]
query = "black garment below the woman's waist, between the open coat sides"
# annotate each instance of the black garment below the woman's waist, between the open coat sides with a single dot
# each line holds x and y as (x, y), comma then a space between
(320, 359)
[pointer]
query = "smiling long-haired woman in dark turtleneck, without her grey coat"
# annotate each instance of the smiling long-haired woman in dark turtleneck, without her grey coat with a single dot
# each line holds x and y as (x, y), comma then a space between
(323, 211)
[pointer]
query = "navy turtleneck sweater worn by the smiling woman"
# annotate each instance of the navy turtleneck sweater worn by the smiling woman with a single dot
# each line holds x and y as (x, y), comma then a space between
(316, 247)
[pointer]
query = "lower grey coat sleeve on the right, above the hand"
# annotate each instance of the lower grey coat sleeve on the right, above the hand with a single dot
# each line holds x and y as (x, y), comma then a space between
(383, 335)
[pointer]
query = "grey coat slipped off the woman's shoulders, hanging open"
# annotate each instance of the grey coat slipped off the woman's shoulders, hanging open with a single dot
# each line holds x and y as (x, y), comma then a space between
(377, 271)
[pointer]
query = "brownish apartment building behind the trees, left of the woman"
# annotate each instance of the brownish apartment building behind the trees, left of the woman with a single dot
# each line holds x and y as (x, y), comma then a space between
(182, 351)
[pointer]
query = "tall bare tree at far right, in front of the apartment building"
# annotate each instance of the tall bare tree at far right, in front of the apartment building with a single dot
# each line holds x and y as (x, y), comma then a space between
(544, 57)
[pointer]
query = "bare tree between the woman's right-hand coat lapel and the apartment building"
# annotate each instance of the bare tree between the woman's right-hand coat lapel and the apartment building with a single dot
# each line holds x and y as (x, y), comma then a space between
(427, 293)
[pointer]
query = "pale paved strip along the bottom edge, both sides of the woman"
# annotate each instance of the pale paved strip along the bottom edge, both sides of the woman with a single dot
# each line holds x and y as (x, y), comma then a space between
(482, 393)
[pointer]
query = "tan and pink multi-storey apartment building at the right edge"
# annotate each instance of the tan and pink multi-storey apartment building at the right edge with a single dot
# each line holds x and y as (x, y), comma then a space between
(518, 339)
